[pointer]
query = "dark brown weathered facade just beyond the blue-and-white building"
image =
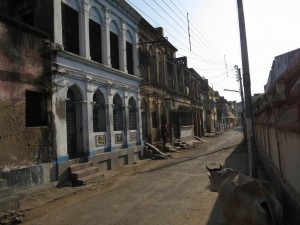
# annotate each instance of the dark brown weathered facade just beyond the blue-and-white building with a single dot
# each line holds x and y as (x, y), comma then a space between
(172, 107)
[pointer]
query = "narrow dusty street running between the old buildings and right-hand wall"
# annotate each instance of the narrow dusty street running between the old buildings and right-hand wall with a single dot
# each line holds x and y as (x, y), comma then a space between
(173, 191)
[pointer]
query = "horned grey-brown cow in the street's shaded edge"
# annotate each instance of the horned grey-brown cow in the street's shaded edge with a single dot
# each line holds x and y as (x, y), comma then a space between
(245, 200)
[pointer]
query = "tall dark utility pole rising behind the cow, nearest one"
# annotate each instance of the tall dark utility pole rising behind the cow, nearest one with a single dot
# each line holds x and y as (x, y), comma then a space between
(252, 155)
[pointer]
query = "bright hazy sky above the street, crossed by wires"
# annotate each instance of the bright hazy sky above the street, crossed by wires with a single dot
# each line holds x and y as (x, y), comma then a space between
(272, 28)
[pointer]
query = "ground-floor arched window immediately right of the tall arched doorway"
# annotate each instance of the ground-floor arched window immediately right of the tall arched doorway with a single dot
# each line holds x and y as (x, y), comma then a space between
(99, 116)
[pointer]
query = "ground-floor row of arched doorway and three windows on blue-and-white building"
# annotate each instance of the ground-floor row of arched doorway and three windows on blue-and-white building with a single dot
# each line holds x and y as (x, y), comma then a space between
(113, 121)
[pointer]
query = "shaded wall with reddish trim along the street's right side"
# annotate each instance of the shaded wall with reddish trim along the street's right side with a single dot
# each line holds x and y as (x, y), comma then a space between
(281, 146)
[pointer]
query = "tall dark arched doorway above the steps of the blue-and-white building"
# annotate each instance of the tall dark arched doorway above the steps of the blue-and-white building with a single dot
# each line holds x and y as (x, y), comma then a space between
(74, 123)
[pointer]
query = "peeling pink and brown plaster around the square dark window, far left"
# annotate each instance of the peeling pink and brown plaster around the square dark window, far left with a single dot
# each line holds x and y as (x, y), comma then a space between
(22, 64)
